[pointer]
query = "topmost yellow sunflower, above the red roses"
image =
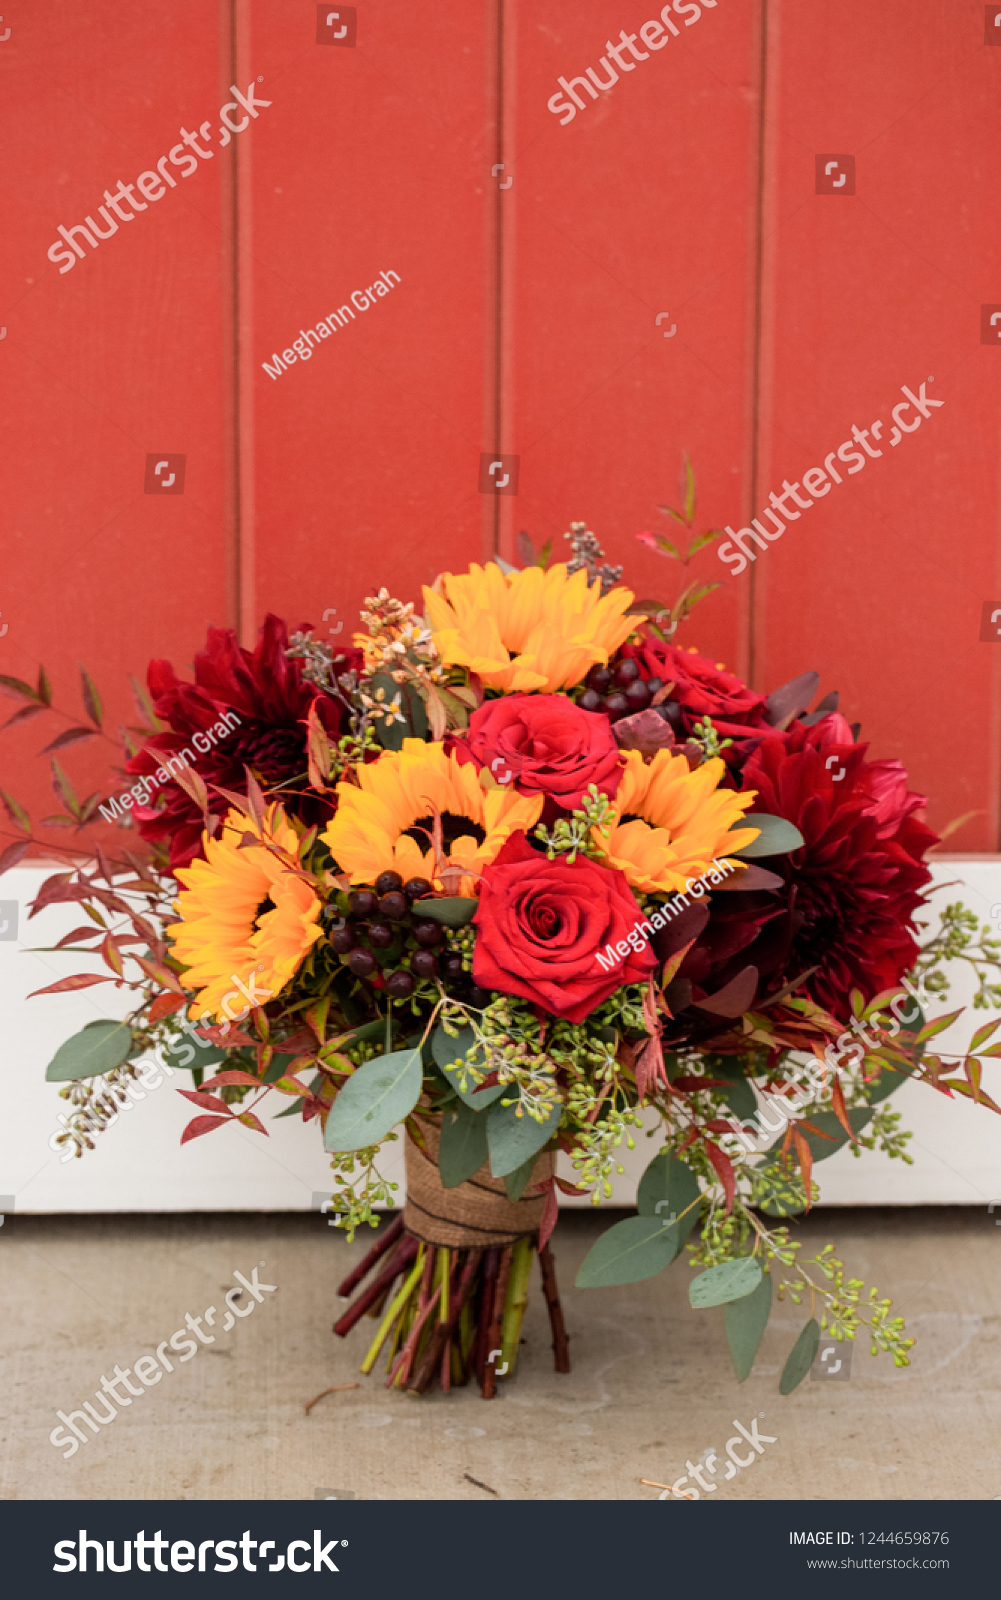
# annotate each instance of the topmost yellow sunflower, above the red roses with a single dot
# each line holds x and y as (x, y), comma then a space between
(527, 631)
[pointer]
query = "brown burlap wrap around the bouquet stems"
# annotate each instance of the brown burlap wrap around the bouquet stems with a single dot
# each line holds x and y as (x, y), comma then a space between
(477, 1214)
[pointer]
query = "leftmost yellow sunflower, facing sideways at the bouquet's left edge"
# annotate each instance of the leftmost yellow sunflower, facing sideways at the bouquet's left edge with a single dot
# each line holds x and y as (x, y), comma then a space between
(242, 916)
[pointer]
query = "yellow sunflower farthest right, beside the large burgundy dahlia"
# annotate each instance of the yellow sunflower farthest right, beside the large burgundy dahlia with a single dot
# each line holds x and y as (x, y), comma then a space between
(671, 823)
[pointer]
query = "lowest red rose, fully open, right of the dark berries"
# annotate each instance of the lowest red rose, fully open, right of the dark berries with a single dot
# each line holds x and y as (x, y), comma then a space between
(541, 927)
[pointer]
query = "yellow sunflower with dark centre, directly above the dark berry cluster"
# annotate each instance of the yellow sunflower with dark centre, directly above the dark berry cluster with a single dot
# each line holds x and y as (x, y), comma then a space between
(385, 822)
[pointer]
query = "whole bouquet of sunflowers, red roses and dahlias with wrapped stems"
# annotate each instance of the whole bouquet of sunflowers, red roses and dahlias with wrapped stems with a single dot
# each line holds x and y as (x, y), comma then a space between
(520, 879)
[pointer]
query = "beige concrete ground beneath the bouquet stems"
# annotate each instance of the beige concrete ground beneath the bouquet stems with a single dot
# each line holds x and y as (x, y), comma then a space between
(652, 1383)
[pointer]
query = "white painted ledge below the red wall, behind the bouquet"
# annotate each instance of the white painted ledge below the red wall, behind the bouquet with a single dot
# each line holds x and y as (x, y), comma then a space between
(138, 1166)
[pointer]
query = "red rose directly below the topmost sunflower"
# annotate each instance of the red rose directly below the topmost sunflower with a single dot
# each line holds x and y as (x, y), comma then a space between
(544, 745)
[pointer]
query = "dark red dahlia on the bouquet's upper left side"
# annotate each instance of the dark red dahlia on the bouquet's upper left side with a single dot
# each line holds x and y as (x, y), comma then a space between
(244, 710)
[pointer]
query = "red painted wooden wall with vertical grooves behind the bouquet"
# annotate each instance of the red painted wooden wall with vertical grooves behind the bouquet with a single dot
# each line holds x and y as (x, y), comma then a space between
(592, 295)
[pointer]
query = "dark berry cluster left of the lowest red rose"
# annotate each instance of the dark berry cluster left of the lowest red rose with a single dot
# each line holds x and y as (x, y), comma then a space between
(385, 934)
